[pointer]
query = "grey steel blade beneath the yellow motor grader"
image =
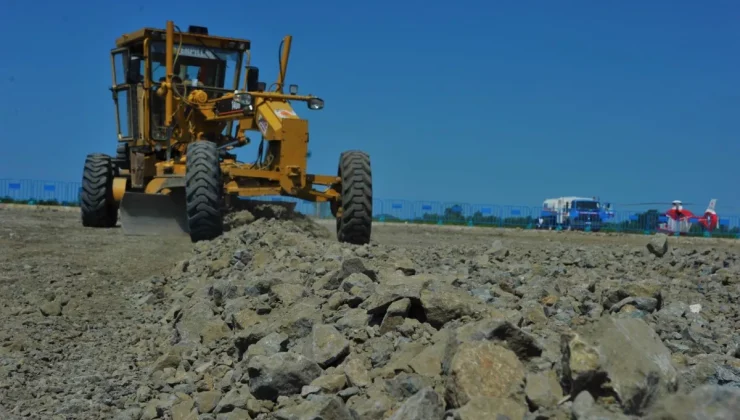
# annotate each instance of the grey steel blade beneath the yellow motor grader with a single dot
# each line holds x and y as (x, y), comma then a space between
(153, 214)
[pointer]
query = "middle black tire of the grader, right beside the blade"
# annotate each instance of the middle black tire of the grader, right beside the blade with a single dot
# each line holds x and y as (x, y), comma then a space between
(204, 191)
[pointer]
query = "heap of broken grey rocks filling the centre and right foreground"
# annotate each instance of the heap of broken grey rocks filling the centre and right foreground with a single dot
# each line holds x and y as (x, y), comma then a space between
(275, 320)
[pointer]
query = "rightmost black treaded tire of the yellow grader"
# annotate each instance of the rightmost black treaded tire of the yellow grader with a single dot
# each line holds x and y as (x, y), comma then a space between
(354, 225)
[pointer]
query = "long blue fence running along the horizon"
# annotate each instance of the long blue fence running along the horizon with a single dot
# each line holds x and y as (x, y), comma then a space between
(430, 212)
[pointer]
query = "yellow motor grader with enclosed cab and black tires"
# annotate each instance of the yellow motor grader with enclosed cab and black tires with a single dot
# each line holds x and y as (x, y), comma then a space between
(180, 113)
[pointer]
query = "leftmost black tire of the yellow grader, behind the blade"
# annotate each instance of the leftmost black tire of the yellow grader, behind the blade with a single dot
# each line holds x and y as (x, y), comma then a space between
(97, 206)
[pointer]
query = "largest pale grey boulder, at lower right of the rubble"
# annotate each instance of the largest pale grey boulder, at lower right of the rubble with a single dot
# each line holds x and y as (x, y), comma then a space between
(624, 355)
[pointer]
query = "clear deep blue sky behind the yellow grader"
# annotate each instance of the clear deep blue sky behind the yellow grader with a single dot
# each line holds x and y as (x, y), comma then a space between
(486, 102)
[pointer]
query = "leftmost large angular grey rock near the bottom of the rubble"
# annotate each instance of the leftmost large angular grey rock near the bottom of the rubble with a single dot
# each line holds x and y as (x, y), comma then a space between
(280, 374)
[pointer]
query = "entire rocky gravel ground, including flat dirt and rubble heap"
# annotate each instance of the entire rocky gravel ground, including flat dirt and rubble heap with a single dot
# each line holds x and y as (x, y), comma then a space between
(275, 320)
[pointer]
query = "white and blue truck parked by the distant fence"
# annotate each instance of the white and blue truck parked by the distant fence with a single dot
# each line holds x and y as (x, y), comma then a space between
(582, 213)
